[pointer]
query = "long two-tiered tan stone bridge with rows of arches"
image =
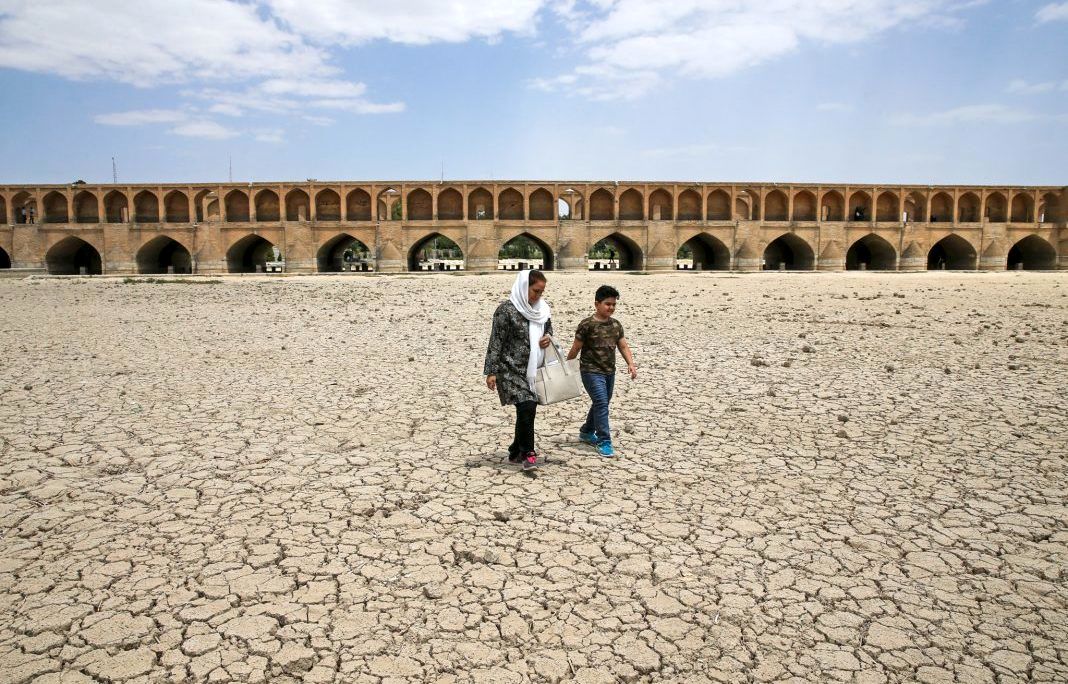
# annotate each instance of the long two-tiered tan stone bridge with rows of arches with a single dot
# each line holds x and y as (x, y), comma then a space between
(233, 228)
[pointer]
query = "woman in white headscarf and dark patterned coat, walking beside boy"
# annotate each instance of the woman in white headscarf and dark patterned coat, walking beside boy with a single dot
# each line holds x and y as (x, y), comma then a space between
(522, 331)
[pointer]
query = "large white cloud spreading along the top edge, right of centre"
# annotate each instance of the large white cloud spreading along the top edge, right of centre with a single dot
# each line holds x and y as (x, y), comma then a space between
(711, 39)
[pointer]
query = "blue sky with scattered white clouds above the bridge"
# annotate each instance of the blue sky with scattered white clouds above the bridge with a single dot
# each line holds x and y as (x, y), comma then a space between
(807, 91)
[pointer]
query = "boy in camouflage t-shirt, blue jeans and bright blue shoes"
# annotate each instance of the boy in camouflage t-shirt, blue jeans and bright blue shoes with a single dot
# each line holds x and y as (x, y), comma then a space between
(598, 338)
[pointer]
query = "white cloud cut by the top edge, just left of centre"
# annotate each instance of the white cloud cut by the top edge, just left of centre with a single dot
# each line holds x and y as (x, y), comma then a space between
(409, 22)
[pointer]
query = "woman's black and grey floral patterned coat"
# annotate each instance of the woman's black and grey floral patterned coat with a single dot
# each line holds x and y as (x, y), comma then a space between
(509, 352)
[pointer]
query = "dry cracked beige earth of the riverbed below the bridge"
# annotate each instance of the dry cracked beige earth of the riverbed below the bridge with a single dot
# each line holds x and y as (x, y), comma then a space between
(856, 478)
